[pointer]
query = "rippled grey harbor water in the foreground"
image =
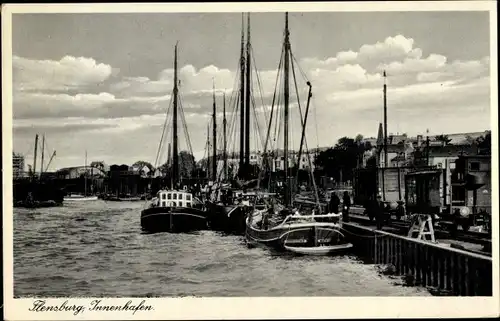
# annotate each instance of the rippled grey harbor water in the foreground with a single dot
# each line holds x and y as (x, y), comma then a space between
(97, 249)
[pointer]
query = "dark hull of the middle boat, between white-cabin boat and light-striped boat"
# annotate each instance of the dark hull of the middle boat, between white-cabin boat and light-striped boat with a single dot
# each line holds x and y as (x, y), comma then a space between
(228, 218)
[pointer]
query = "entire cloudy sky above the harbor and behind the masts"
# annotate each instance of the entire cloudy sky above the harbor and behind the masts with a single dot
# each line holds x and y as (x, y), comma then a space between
(102, 82)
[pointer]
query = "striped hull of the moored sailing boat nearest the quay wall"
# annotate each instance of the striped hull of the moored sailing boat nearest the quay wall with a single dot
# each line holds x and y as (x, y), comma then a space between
(304, 235)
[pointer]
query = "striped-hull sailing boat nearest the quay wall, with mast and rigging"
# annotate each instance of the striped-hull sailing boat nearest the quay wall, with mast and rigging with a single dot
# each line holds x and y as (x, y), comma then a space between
(279, 225)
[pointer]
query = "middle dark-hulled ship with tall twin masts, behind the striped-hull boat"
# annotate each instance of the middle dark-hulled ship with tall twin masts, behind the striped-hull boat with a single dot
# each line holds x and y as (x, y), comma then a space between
(232, 200)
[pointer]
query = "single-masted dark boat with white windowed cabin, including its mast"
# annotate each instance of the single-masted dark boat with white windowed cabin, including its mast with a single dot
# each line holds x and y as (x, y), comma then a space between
(174, 210)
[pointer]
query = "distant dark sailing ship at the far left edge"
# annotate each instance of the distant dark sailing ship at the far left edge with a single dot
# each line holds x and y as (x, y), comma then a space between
(35, 191)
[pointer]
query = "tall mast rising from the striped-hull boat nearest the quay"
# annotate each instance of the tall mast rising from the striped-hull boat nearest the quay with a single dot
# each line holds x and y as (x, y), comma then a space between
(286, 102)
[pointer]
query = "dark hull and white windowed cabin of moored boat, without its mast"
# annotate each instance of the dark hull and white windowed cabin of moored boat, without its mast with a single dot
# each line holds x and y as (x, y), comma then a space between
(175, 212)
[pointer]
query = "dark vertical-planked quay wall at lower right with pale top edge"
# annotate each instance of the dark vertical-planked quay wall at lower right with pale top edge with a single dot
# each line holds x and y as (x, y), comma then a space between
(448, 270)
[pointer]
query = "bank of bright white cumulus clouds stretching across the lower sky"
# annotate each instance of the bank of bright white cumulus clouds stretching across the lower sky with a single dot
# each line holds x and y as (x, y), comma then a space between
(347, 87)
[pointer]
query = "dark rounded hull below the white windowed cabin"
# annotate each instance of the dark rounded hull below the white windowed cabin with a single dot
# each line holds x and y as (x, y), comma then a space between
(173, 219)
